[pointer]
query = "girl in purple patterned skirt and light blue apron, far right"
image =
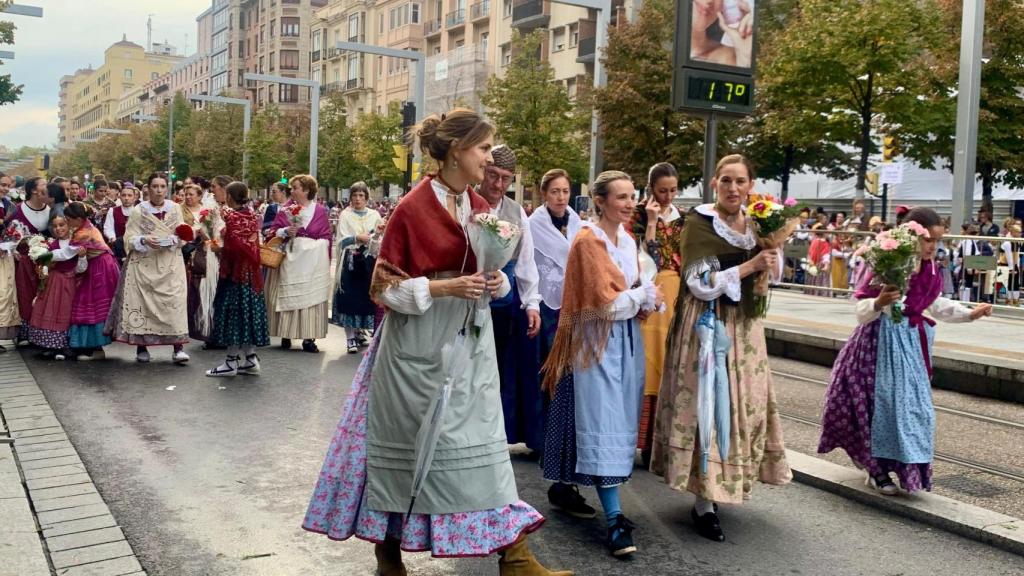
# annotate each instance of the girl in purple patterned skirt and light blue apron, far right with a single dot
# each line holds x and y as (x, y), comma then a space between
(887, 364)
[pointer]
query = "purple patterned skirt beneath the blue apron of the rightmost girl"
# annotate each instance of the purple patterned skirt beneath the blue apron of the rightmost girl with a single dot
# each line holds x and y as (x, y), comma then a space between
(846, 422)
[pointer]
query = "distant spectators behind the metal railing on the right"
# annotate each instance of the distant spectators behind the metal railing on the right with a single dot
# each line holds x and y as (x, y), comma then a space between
(827, 255)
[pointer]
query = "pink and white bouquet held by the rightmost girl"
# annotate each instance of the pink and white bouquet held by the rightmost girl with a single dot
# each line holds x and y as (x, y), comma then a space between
(894, 259)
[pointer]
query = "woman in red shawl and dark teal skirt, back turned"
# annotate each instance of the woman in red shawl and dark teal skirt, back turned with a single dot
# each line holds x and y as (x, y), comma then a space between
(240, 311)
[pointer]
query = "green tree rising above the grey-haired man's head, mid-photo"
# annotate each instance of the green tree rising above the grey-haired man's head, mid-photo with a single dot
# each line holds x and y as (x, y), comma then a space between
(536, 117)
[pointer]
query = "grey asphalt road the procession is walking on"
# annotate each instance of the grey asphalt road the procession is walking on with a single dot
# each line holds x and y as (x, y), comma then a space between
(212, 478)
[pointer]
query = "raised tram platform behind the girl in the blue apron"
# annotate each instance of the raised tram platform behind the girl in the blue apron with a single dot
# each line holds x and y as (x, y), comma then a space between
(985, 358)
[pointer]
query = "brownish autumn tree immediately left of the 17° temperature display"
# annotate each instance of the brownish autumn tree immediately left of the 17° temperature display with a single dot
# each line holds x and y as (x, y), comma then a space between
(639, 127)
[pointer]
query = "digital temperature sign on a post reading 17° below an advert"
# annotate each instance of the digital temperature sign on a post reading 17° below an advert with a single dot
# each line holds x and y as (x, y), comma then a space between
(713, 69)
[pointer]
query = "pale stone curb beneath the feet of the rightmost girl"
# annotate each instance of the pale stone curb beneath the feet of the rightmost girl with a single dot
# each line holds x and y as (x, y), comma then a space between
(971, 522)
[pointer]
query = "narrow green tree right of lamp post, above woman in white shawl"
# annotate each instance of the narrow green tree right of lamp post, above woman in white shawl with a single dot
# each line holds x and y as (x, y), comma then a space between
(337, 147)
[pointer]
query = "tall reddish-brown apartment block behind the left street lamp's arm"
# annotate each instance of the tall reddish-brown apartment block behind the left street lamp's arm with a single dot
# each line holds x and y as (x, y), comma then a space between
(277, 42)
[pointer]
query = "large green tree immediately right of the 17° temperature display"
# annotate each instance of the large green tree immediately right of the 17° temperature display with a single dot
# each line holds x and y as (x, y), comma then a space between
(858, 65)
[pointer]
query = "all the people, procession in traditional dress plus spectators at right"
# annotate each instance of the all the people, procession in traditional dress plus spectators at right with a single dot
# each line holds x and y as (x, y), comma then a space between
(594, 345)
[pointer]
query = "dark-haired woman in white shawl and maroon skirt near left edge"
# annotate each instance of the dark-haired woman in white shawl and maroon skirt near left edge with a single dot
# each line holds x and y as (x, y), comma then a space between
(32, 218)
